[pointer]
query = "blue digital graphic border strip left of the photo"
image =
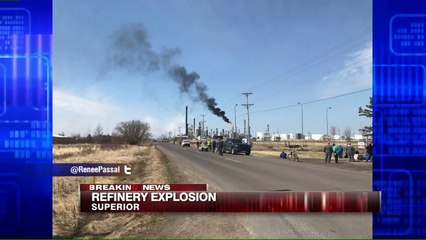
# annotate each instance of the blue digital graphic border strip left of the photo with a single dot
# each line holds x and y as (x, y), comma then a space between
(26, 120)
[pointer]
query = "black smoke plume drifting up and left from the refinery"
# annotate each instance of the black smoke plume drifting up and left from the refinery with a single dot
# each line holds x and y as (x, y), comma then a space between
(132, 52)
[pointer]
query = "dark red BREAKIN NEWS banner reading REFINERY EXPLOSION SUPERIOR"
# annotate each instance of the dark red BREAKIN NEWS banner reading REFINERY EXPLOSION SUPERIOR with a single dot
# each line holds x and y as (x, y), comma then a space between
(124, 198)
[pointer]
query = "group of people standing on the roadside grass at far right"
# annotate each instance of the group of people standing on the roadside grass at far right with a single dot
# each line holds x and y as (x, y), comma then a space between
(337, 152)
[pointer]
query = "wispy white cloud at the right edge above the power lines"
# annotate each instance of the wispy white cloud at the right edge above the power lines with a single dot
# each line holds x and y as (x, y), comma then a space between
(355, 75)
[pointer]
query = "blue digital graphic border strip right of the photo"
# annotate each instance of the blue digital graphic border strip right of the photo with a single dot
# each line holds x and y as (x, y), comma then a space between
(399, 114)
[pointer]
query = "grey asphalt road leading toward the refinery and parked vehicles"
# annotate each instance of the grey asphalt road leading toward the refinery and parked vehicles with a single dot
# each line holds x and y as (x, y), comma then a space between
(249, 173)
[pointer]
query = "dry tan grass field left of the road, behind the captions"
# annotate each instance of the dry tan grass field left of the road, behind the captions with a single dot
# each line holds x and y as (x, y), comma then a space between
(148, 166)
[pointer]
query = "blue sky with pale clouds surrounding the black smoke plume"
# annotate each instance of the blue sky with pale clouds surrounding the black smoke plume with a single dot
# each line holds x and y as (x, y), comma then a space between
(283, 51)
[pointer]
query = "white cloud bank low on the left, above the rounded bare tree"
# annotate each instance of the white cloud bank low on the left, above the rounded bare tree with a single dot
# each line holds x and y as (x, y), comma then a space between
(80, 114)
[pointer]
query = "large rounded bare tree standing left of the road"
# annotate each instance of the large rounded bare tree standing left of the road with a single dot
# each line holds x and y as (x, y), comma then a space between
(133, 131)
